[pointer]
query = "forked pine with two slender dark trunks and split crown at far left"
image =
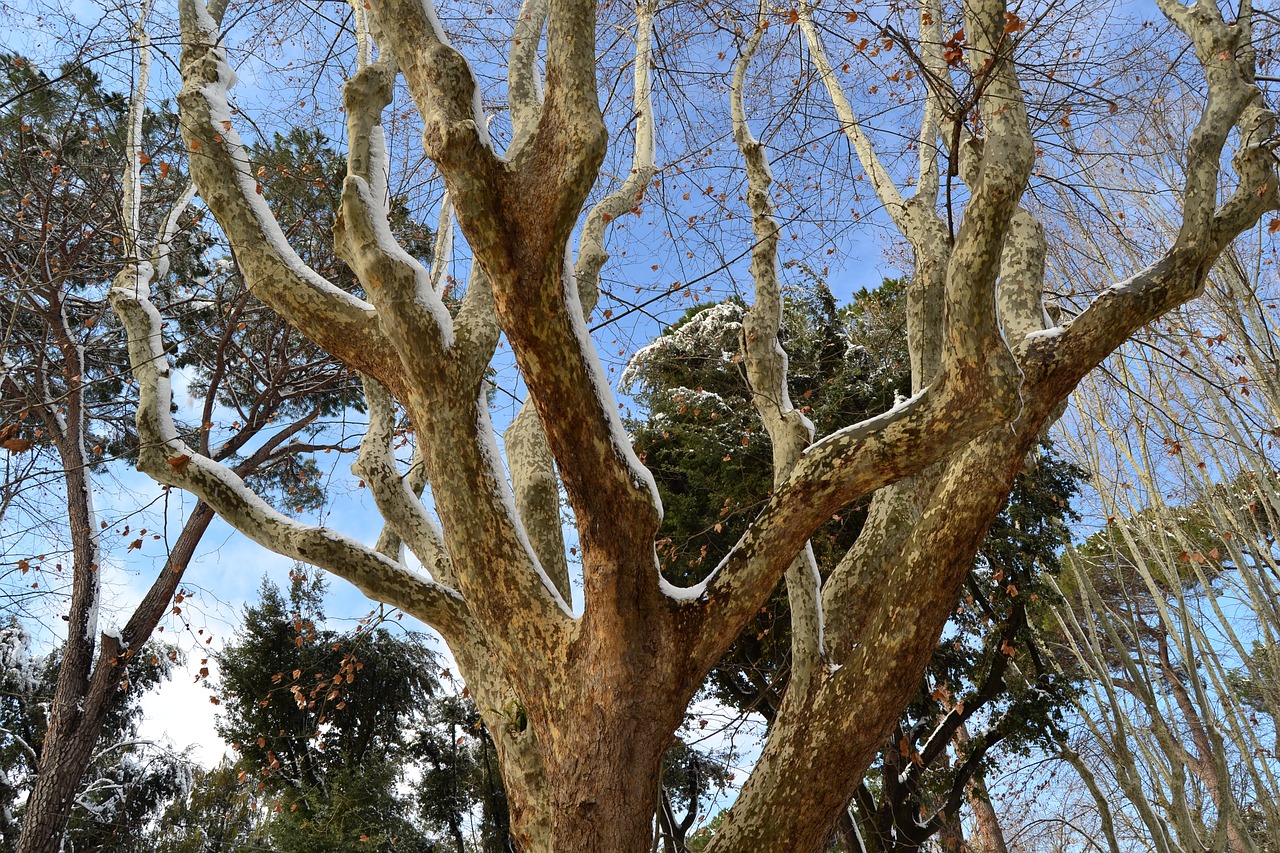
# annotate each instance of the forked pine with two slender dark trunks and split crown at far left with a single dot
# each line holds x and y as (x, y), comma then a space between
(66, 409)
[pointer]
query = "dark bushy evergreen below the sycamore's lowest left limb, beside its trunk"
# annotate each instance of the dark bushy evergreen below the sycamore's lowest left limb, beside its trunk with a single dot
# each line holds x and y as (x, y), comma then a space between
(331, 726)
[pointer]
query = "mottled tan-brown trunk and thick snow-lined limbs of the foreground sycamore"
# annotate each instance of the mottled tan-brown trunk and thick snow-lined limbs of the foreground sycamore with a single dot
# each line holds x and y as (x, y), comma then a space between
(584, 706)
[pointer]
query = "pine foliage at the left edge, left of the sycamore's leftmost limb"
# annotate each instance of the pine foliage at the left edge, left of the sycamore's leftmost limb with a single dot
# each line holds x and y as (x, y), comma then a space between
(62, 158)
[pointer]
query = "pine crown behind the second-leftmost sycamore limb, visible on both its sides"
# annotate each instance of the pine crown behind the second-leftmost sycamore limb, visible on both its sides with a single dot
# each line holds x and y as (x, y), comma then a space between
(253, 363)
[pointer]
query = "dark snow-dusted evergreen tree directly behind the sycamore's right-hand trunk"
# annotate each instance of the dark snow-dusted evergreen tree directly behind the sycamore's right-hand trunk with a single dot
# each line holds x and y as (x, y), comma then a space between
(701, 441)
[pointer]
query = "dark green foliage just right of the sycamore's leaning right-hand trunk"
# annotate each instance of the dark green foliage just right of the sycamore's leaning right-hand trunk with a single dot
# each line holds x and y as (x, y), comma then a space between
(989, 683)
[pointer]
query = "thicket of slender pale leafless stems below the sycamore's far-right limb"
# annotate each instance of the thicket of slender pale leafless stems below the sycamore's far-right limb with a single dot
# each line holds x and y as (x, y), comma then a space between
(1173, 613)
